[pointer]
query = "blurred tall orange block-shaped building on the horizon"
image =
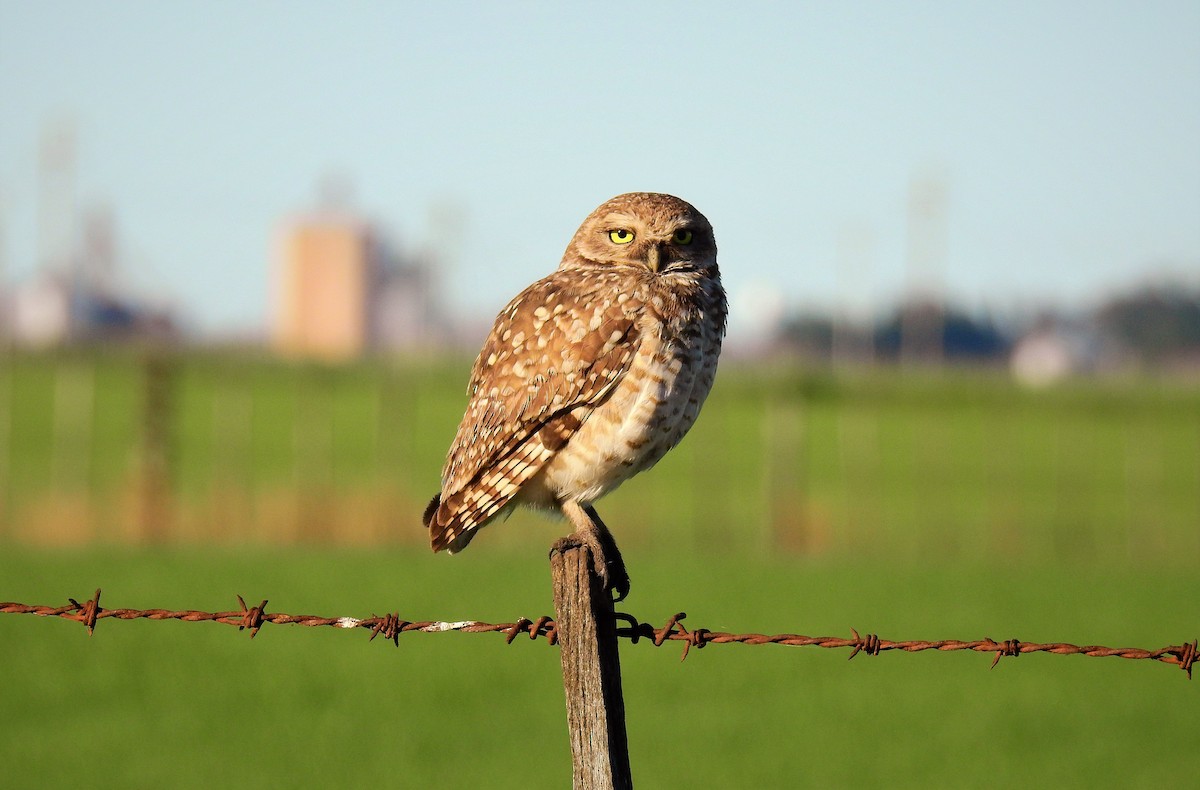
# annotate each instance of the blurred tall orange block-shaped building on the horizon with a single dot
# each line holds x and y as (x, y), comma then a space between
(325, 280)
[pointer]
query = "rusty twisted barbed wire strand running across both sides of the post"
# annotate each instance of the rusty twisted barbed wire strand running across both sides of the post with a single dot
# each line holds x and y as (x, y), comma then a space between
(392, 626)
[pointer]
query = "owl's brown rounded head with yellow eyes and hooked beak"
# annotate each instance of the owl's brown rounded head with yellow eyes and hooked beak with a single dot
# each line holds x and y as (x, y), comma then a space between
(657, 232)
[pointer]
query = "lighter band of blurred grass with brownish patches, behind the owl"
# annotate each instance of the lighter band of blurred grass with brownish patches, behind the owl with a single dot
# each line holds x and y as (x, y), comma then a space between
(953, 465)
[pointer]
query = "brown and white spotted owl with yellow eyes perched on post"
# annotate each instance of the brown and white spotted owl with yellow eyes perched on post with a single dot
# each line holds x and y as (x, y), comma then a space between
(590, 376)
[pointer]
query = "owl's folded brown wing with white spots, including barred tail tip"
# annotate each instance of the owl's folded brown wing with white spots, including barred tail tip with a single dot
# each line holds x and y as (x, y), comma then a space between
(555, 355)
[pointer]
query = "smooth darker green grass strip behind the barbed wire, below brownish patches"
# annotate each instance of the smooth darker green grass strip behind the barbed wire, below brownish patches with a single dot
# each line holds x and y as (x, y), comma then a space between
(182, 705)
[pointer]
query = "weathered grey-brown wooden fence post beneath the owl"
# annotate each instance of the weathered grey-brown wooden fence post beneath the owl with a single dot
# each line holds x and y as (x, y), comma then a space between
(587, 639)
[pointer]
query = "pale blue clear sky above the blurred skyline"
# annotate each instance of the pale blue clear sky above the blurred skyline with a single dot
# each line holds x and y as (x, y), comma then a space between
(1066, 139)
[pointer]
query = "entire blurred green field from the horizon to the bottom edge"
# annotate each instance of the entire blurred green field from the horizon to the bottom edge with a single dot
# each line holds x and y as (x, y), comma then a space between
(945, 506)
